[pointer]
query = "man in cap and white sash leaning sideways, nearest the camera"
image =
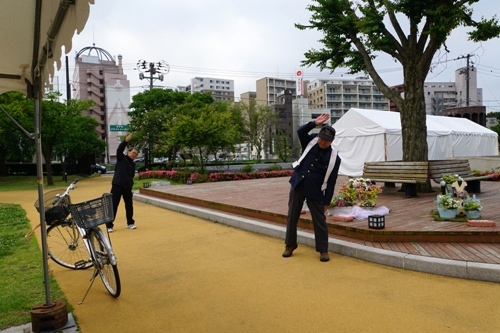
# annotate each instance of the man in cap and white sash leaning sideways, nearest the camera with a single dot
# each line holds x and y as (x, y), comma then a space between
(313, 180)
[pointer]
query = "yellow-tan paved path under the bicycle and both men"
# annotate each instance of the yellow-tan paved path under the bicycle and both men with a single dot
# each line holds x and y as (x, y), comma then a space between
(181, 274)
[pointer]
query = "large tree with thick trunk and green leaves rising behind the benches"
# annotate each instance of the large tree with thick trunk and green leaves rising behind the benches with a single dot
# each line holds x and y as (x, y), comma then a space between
(355, 32)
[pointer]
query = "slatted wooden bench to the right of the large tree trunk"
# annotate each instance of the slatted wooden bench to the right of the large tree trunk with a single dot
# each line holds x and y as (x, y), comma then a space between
(438, 168)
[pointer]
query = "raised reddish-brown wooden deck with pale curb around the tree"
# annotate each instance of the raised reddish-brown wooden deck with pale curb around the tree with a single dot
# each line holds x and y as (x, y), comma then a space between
(464, 260)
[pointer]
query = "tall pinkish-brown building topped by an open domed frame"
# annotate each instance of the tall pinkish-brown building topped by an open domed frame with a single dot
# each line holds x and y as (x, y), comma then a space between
(98, 77)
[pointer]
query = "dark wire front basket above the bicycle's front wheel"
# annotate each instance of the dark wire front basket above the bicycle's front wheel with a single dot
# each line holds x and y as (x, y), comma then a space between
(94, 212)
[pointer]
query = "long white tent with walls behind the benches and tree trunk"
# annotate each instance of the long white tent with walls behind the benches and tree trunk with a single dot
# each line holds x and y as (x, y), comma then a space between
(373, 135)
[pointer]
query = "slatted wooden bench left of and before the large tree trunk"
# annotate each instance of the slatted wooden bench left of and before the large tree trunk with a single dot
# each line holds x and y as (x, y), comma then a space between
(391, 172)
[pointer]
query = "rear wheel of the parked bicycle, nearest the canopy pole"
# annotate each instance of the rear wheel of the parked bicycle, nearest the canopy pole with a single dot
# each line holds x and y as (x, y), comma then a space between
(66, 247)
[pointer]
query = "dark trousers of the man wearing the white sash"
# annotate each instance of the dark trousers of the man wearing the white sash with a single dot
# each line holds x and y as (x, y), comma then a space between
(295, 202)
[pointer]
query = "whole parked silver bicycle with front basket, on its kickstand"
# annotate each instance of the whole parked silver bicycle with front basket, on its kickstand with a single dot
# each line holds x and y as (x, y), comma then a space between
(66, 234)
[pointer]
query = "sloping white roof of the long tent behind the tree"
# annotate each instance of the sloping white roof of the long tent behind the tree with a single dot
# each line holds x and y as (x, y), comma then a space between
(363, 122)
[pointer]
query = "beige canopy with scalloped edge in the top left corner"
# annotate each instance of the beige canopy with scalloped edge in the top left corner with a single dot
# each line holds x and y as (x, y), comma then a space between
(33, 33)
